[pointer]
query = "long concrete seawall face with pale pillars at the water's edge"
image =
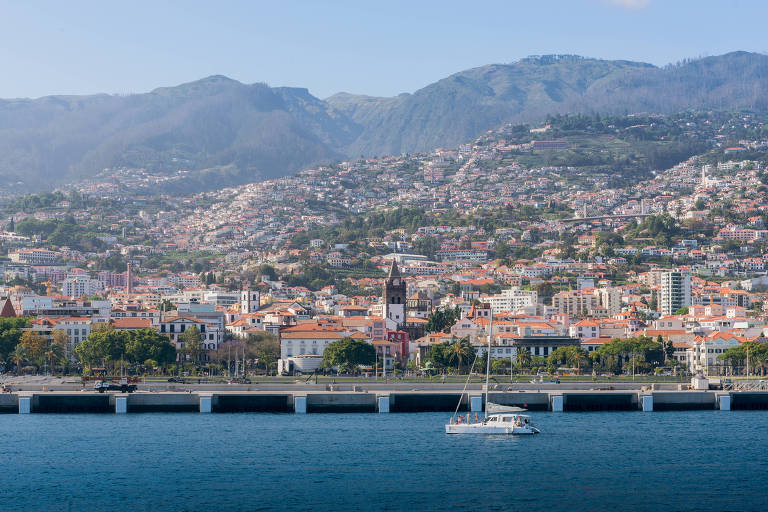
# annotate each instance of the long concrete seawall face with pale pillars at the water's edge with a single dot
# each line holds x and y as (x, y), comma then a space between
(367, 401)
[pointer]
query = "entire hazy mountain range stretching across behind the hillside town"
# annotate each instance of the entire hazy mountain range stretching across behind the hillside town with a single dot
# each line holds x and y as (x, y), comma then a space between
(242, 133)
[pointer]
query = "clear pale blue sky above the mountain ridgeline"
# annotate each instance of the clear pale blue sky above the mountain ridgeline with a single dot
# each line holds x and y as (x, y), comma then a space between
(358, 46)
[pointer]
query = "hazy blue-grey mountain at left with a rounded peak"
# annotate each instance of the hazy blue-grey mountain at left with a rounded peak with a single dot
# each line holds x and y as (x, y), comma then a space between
(253, 131)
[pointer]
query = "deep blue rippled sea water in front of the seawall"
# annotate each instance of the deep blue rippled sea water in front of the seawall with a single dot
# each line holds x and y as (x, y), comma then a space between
(708, 460)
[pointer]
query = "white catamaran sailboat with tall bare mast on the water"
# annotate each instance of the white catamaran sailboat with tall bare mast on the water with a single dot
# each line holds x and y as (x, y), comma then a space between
(506, 423)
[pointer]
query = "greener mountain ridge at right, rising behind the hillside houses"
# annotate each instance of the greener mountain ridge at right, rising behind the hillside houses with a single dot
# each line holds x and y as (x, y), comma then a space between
(461, 106)
